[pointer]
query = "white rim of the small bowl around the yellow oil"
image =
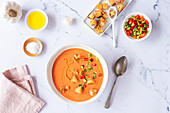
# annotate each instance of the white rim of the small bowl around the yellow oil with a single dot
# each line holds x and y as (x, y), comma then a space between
(39, 10)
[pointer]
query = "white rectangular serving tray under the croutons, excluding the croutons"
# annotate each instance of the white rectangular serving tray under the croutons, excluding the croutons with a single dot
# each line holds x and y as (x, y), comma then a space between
(86, 20)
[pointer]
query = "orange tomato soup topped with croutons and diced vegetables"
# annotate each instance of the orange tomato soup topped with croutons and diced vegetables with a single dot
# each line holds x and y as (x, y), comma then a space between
(77, 74)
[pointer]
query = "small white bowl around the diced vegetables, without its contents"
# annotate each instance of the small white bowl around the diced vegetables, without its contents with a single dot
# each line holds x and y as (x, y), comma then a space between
(134, 14)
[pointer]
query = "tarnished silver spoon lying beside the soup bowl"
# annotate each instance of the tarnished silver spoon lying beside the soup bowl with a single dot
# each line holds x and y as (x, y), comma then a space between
(119, 69)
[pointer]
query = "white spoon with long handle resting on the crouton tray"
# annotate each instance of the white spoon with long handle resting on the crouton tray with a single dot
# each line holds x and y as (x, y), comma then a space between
(113, 23)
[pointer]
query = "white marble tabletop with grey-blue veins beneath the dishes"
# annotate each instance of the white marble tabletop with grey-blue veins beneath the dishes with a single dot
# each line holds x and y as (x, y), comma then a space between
(145, 87)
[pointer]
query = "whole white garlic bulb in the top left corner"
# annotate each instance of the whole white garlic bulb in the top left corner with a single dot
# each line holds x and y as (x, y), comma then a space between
(11, 12)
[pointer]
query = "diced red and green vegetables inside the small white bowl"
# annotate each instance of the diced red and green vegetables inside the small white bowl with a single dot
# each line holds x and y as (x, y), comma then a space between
(137, 27)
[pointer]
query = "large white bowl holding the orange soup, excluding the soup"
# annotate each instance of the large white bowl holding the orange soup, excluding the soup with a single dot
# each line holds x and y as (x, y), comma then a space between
(87, 48)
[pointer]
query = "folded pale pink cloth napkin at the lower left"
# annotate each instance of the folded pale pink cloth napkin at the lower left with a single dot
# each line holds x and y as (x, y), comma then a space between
(17, 92)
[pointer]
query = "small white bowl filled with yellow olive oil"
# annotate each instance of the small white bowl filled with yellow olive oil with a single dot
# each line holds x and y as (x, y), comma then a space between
(36, 20)
